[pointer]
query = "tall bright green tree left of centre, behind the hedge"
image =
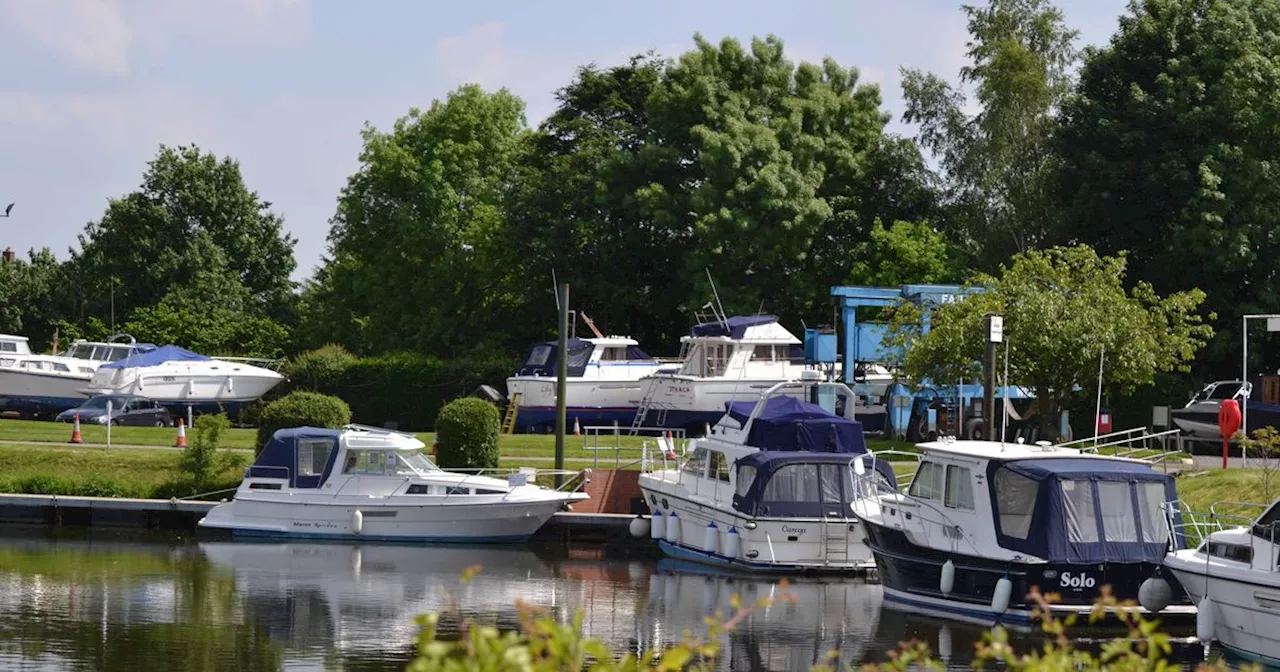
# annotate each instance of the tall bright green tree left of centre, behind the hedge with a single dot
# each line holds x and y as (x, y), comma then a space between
(417, 230)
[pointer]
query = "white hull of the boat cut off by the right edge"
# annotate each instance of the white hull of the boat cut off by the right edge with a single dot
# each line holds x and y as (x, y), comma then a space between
(1247, 612)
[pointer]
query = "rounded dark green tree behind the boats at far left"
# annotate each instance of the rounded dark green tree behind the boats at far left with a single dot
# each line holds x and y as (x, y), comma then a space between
(143, 240)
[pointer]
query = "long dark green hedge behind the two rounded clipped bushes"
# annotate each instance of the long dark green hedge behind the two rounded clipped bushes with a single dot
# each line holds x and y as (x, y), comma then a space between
(404, 390)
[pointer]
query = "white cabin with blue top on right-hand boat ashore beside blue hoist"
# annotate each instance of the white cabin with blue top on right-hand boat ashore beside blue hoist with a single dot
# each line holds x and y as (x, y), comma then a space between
(737, 345)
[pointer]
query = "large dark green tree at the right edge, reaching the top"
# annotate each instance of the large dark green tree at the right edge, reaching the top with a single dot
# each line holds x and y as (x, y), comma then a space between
(1171, 152)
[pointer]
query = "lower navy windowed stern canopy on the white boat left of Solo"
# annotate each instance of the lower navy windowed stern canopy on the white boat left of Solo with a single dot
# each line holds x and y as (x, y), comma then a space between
(801, 484)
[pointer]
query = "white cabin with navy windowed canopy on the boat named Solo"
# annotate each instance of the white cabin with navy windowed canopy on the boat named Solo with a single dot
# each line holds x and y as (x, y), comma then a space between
(1053, 504)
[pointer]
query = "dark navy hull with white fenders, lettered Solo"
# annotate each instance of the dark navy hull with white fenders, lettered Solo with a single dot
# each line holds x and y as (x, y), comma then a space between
(913, 574)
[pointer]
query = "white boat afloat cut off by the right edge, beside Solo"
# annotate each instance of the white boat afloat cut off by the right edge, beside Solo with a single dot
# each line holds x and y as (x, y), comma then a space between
(1232, 578)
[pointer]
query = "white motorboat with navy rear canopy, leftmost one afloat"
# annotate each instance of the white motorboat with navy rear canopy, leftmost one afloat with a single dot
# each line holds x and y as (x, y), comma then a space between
(386, 490)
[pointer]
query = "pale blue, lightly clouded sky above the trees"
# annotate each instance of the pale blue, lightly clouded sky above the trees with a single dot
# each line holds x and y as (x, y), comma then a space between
(92, 89)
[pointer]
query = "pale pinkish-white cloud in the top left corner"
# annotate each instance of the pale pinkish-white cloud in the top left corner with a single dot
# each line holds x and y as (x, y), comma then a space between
(89, 34)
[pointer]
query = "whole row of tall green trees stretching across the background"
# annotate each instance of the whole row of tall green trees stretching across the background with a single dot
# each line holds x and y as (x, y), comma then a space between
(730, 163)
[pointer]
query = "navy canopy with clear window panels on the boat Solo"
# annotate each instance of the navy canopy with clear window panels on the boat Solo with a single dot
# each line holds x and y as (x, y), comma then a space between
(1084, 510)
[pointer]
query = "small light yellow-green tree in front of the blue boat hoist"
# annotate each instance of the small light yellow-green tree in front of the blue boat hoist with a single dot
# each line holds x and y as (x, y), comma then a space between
(1063, 309)
